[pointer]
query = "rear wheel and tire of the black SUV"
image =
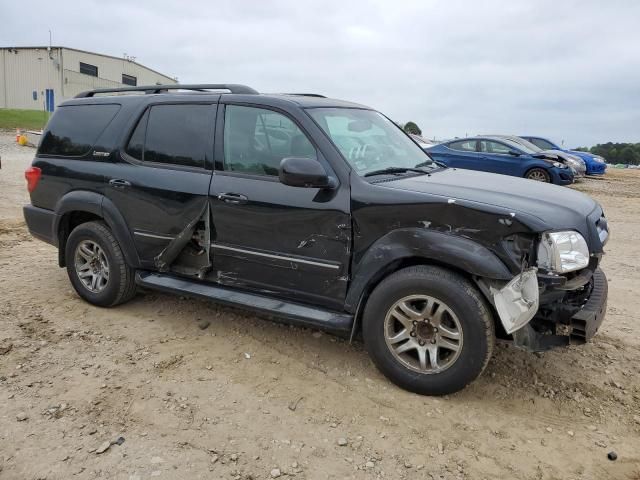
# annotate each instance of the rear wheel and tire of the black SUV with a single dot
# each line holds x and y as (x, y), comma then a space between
(94, 242)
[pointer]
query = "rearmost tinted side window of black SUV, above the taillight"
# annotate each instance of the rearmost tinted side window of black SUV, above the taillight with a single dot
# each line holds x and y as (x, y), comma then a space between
(74, 129)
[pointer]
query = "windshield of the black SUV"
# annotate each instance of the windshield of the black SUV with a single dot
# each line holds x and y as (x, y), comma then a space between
(369, 141)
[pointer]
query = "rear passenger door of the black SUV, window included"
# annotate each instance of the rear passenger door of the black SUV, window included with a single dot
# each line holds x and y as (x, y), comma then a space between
(161, 180)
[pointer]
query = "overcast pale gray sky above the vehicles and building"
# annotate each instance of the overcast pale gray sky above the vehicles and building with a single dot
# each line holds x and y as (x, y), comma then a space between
(565, 69)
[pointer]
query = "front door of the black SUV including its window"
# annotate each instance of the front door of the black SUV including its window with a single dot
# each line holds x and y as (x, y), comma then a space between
(267, 236)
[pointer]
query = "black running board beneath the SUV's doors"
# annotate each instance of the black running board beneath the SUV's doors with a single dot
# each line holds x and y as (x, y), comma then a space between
(294, 313)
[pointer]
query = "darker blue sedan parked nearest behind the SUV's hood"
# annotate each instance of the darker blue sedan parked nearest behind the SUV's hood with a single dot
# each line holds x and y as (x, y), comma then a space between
(497, 155)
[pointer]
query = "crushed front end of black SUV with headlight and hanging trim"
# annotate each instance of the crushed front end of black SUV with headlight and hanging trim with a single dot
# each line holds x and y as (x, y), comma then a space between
(570, 301)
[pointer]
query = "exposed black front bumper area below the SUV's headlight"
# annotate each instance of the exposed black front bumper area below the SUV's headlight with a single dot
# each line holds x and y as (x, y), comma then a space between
(565, 322)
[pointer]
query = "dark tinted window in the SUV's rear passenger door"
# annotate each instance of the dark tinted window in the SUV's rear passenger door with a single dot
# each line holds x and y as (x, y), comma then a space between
(173, 134)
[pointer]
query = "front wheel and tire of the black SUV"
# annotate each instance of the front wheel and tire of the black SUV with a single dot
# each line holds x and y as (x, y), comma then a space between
(460, 307)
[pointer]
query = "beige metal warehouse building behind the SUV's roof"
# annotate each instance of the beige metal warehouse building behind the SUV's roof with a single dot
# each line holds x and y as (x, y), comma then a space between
(39, 78)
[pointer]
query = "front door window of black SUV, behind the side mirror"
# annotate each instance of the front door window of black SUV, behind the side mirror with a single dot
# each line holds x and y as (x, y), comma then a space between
(256, 140)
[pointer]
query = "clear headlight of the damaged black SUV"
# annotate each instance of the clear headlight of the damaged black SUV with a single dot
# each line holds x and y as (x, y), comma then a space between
(563, 252)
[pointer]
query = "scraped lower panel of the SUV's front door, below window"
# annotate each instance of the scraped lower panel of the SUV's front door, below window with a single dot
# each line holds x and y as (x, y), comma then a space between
(284, 240)
